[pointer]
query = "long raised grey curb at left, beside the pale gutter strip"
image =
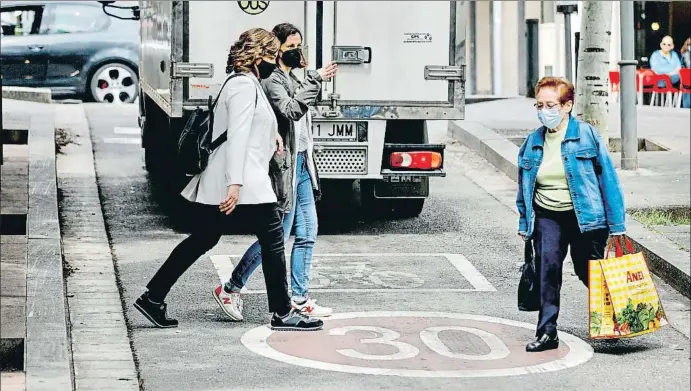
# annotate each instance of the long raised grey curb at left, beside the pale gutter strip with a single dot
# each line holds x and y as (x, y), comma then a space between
(47, 357)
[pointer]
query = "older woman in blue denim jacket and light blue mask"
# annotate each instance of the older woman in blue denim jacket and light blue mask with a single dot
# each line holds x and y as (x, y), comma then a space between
(569, 196)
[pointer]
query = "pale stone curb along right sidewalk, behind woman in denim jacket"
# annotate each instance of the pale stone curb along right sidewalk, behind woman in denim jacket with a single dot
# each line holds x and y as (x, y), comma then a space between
(664, 257)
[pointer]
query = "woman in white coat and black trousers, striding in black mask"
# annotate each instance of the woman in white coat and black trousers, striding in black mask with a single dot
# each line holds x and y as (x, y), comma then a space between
(236, 180)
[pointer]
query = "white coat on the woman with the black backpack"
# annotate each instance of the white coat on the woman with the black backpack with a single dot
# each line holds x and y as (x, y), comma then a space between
(244, 158)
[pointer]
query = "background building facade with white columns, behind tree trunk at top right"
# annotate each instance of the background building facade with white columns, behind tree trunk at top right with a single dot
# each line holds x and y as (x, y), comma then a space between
(500, 52)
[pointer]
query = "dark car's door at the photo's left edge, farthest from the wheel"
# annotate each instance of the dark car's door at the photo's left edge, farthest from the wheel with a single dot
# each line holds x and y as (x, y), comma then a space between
(22, 46)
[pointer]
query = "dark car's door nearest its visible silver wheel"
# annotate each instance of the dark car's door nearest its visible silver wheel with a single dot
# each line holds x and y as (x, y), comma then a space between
(73, 33)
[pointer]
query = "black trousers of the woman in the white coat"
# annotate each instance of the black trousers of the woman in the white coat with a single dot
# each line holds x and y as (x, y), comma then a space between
(266, 225)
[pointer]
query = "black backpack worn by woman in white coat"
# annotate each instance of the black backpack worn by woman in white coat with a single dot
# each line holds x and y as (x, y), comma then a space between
(196, 144)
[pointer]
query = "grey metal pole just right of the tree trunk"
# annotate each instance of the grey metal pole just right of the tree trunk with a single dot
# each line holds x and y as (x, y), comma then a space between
(627, 89)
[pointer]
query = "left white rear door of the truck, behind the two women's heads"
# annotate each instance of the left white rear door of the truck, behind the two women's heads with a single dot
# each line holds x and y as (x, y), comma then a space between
(209, 20)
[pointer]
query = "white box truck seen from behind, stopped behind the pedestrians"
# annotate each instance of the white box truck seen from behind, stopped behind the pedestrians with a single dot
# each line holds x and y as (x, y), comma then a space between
(401, 64)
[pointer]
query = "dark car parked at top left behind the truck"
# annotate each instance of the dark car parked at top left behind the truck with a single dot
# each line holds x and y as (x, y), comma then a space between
(71, 47)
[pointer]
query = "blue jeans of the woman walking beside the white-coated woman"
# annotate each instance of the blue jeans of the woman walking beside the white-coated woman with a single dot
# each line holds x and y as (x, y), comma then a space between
(302, 217)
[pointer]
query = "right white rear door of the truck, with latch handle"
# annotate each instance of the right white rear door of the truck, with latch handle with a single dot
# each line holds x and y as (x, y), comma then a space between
(389, 44)
